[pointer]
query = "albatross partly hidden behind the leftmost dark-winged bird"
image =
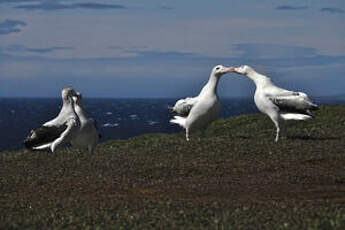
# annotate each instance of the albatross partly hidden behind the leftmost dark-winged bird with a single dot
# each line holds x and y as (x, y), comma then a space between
(87, 136)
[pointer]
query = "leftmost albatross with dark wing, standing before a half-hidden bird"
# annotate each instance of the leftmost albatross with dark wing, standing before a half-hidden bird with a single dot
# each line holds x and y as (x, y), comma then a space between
(57, 131)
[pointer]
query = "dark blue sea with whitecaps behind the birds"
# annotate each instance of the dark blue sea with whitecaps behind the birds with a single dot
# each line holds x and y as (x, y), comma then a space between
(117, 118)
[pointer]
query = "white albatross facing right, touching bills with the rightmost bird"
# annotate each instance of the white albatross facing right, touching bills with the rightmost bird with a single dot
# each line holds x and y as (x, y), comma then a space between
(198, 112)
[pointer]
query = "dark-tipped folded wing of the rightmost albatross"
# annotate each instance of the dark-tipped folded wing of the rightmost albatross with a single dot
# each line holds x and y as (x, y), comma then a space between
(297, 102)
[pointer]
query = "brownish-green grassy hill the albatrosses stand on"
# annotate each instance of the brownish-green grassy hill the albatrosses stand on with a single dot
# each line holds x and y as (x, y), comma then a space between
(235, 177)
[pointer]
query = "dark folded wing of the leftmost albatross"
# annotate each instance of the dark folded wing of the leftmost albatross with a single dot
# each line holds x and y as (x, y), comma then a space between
(43, 135)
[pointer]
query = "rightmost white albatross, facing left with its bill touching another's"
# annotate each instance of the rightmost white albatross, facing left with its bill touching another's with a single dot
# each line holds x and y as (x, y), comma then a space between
(277, 103)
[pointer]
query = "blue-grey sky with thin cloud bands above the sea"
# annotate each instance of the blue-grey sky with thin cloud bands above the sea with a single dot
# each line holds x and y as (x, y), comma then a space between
(167, 48)
